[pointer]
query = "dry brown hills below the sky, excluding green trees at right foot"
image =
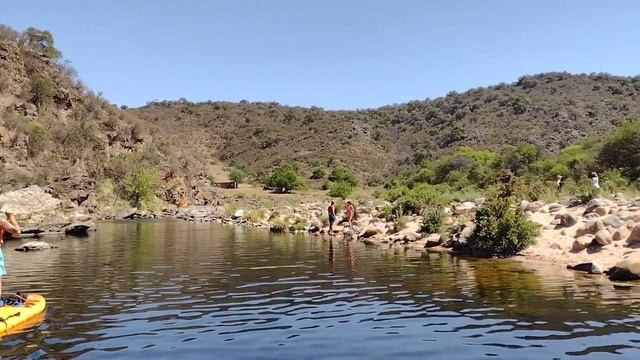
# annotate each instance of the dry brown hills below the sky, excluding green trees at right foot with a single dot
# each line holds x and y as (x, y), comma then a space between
(57, 133)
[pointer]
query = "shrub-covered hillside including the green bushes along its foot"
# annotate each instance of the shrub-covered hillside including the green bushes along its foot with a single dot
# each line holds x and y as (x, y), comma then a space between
(57, 133)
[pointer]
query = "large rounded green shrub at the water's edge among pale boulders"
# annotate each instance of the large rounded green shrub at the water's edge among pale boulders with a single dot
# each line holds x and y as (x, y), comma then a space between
(500, 230)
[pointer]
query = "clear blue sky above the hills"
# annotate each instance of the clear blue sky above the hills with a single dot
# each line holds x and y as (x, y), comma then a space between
(337, 54)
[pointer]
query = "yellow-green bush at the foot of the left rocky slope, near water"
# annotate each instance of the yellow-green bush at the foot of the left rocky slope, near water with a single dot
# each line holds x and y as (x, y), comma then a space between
(140, 186)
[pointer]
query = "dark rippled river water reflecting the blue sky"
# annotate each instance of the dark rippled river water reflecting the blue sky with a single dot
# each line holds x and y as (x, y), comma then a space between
(184, 290)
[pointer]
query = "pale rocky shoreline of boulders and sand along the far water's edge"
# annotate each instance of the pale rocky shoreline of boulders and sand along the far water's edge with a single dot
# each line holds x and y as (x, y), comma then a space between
(601, 234)
